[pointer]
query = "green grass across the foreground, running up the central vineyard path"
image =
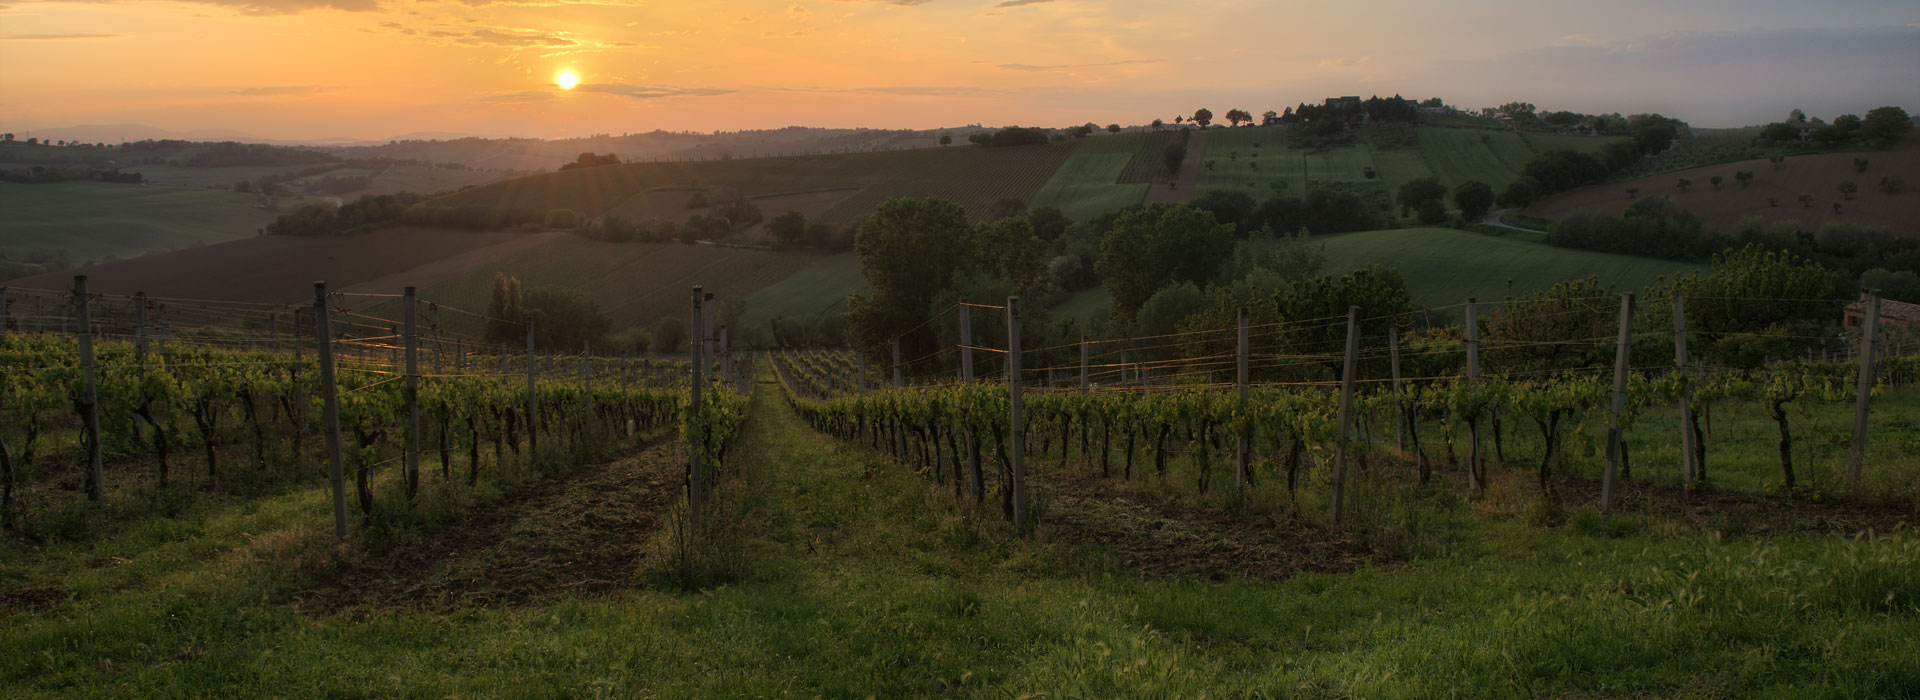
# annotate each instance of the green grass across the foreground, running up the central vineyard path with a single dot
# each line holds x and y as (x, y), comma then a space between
(861, 582)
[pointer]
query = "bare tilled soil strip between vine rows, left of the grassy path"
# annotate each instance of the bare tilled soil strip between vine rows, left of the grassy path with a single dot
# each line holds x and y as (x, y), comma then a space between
(567, 536)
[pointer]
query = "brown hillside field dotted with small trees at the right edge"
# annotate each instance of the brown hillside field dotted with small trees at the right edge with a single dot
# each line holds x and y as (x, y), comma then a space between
(1817, 175)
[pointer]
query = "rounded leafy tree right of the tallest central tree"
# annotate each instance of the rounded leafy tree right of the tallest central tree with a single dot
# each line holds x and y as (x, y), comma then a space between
(1155, 246)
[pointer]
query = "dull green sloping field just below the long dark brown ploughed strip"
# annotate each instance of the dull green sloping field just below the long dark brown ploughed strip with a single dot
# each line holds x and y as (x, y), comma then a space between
(635, 283)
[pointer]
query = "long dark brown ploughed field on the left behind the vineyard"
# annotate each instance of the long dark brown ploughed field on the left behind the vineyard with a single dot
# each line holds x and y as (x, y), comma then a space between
(281, 269)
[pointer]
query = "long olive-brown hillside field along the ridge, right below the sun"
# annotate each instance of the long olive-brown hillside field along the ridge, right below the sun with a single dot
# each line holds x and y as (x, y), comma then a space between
(969, 175)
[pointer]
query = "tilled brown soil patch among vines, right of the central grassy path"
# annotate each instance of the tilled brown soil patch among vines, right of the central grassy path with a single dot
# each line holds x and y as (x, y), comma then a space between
(1163, 540)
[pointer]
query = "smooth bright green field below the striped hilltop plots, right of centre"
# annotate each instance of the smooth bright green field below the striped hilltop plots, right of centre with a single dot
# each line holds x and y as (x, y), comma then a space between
(1445, 268)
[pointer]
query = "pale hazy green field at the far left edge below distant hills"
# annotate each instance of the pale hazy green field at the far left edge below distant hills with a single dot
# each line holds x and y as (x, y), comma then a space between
(97, 222)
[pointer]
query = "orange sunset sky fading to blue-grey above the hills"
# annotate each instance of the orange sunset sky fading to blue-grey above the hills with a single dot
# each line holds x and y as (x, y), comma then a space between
(391, 68)
